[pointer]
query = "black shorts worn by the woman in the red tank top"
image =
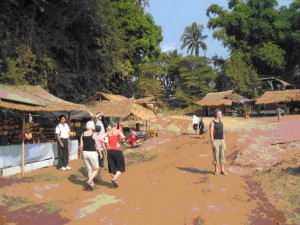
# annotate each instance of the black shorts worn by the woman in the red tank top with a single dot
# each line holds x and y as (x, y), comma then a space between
(116, 161)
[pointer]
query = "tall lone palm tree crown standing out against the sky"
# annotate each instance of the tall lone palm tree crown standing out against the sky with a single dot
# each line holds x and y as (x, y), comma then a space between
(193, 39)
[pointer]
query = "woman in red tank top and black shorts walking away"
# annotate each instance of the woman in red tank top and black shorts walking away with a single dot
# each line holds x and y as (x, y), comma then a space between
(115, 157)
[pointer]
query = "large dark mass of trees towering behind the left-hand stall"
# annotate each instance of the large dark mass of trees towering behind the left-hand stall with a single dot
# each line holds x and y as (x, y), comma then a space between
(73, 47)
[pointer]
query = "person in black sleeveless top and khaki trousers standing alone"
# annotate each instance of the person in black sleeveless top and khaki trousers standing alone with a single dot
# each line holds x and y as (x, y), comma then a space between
(217, 137)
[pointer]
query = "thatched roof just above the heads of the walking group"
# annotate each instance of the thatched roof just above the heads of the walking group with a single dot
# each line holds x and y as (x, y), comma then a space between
(122, 108)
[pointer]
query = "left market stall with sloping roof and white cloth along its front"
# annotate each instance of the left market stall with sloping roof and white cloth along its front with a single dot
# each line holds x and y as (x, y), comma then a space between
(26, 136)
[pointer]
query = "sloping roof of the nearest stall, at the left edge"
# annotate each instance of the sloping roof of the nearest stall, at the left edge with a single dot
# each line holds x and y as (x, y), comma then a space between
(33, 98)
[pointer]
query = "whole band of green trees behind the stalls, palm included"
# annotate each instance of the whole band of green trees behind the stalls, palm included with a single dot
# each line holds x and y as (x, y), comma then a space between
(75, 48)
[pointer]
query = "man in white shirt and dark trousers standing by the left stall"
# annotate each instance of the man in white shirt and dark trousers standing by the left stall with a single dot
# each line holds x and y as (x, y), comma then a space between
(62, 134)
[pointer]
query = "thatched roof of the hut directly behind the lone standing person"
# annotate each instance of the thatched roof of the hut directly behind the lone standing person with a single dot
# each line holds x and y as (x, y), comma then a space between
(225, 98)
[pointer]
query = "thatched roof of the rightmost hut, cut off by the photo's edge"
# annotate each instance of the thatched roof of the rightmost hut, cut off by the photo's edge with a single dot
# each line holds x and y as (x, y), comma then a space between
(270, 97)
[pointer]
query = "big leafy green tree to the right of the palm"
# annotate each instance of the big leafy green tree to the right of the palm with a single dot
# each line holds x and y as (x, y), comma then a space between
(270, 35)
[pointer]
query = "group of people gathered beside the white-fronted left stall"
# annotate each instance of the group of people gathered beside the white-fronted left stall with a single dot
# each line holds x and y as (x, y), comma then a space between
(95, 144)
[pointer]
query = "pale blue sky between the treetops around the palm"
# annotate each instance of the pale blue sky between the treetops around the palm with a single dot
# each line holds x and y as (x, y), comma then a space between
(174, 15)
